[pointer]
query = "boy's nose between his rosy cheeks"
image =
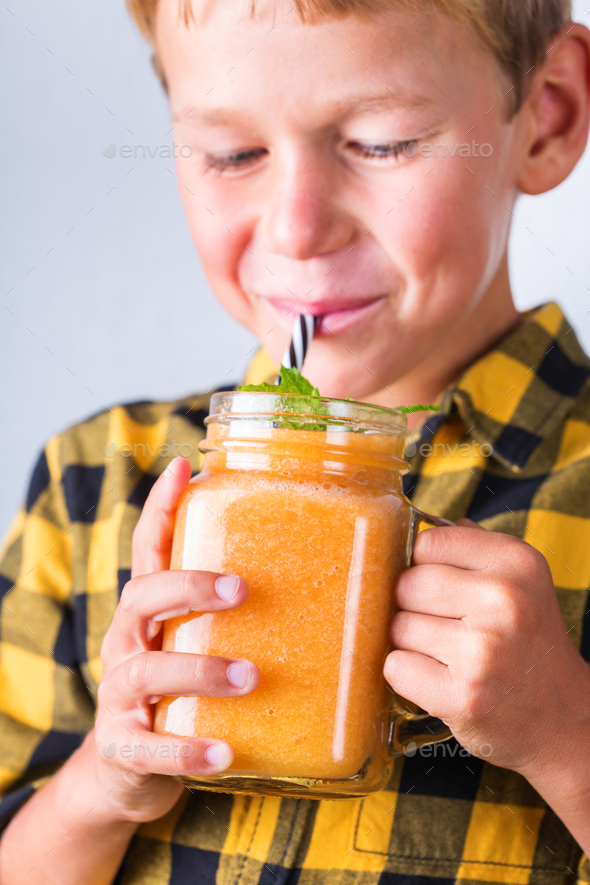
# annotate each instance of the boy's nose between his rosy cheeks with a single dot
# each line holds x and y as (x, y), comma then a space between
(301, 219)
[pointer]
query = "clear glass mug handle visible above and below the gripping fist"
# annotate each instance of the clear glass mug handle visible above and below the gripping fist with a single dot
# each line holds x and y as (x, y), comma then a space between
(410, 730)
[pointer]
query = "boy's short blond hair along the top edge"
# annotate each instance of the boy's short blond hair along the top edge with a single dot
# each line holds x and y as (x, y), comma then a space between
(516, 31)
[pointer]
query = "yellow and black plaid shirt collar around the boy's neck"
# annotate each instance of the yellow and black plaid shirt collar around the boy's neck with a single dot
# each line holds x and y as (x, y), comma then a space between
(515, 395)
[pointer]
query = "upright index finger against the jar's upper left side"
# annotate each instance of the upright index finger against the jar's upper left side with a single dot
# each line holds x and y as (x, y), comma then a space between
(152, 538)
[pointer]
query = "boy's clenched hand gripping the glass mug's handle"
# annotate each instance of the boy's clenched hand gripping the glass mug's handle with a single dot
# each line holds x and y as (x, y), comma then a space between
(480, 643)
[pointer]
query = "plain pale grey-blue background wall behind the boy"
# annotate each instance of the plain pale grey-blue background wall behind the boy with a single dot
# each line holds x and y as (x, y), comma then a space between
(86, 239)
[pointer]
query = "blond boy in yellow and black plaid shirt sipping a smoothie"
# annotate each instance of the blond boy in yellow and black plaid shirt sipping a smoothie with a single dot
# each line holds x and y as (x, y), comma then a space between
(316, 183)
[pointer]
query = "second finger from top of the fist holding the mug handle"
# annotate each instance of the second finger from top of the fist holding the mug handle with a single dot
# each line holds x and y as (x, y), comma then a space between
(435, 590)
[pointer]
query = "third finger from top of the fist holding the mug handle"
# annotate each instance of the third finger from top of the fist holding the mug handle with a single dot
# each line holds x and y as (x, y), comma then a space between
(440, 638)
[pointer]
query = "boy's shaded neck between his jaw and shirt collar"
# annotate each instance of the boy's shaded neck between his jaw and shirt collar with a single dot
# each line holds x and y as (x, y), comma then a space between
(494, 316)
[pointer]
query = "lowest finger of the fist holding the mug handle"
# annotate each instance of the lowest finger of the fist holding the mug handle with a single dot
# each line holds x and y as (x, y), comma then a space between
(422, 680)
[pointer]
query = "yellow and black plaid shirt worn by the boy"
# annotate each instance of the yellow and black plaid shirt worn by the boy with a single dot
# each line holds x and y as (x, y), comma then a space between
(443, 819)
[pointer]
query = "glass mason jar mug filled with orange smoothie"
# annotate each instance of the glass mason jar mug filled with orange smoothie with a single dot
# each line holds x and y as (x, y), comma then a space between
(304, 500)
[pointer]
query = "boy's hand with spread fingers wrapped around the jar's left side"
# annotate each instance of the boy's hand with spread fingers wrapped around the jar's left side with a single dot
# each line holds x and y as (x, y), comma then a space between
(138, 785)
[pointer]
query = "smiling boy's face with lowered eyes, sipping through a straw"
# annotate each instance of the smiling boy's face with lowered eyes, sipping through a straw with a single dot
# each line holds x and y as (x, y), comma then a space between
(299, 197)
